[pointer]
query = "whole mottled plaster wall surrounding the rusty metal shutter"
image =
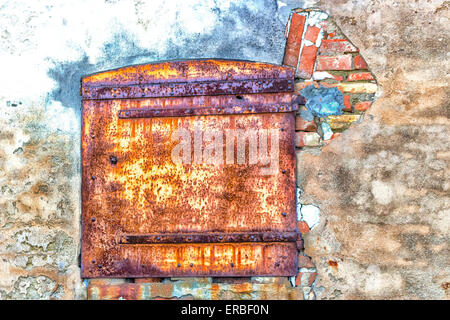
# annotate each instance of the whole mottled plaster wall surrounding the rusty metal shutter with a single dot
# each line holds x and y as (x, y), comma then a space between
(374, 199)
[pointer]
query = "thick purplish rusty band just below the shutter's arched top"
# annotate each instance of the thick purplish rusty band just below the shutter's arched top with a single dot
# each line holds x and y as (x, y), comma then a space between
(186, 89)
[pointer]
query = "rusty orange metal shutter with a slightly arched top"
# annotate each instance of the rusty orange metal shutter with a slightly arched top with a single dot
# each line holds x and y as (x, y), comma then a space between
(133, 192)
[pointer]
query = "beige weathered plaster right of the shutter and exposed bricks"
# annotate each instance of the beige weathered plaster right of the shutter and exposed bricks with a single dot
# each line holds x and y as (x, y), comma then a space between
(383, 185)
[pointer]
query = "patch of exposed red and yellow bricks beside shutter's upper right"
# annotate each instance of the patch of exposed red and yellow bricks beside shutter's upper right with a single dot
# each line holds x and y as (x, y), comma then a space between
(328, 59)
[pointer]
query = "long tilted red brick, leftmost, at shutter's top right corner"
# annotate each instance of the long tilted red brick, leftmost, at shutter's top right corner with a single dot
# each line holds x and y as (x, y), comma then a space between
(294, 40)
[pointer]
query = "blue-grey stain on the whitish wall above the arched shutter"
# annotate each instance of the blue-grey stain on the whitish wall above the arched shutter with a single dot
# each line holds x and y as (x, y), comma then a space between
(245, 30)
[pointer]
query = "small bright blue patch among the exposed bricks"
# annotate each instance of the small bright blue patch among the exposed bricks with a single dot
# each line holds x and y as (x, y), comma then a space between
(322, 102)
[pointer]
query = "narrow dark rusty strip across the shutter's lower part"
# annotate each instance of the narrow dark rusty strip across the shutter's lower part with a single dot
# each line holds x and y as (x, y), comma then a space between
(216, 237)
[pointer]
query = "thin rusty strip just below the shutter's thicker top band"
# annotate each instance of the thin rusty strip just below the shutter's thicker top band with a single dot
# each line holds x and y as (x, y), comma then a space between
(204, 111)
